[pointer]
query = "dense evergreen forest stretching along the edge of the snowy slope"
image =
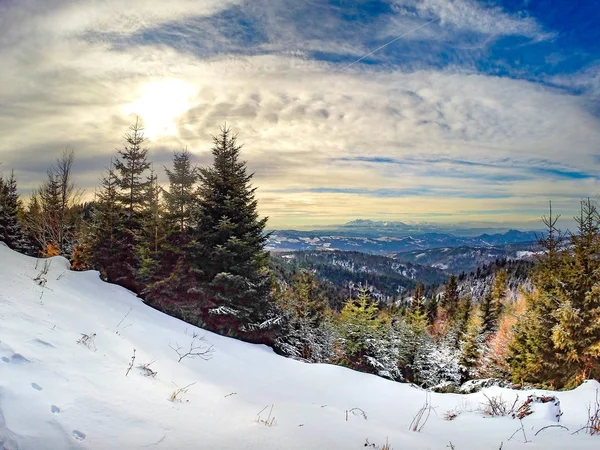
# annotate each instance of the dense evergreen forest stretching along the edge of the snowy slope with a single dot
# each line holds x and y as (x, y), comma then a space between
(195, 249)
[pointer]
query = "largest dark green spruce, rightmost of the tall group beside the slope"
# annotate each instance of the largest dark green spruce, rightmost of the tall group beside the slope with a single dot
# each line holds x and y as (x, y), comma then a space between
(227, 257)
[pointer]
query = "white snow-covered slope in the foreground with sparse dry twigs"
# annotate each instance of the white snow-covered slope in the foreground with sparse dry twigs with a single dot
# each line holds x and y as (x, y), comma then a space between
(58, 394)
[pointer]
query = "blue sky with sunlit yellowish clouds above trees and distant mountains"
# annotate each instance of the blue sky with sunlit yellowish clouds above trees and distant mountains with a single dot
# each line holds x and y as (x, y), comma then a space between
(472, 111)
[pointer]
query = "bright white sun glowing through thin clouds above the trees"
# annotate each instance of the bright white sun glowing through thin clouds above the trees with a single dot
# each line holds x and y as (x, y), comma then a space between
(159, 104)
